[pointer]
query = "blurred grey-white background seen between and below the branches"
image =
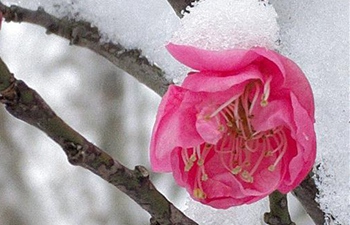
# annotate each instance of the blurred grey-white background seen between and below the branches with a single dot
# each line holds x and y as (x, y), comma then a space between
(111, 109)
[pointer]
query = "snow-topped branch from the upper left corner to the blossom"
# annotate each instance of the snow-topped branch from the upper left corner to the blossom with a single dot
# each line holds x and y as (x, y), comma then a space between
(81, 33)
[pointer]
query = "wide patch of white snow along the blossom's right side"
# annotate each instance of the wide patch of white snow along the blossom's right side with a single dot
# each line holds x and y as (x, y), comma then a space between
(315, 34)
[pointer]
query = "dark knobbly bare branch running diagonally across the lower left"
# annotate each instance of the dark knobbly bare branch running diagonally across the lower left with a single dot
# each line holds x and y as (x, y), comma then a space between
(25, 104)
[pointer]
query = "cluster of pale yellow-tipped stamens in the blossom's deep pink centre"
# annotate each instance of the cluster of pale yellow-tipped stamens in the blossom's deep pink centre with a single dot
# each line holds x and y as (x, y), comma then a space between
(242, 150)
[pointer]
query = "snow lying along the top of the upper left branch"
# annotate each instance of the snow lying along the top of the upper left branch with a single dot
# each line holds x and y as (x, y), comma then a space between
(146, 25)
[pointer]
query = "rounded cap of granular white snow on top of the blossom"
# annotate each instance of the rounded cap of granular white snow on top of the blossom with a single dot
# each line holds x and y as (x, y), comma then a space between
(223, 24)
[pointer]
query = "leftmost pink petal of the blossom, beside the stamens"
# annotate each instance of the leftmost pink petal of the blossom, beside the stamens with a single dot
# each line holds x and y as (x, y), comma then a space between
(175, 126)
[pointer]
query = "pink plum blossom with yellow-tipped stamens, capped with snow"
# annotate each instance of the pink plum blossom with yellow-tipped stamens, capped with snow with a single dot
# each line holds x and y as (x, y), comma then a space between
(238, 128)
